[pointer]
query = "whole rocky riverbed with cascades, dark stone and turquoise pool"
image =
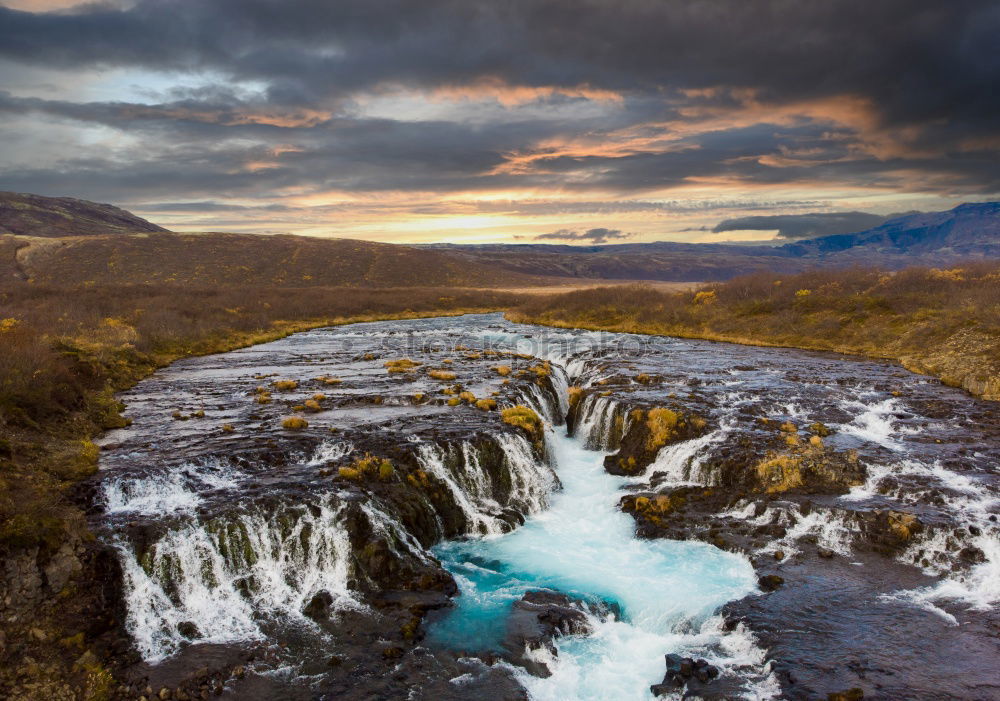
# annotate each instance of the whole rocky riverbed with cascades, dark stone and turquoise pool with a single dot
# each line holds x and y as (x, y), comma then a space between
(470, 508)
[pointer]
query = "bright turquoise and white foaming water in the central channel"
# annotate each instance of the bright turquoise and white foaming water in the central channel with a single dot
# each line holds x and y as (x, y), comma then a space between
(585, 547)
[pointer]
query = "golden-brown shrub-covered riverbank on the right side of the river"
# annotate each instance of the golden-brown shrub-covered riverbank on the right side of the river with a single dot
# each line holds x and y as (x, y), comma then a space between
(944, 323)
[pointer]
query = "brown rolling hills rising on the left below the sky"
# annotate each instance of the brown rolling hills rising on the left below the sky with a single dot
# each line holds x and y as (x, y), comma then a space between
(72, 242)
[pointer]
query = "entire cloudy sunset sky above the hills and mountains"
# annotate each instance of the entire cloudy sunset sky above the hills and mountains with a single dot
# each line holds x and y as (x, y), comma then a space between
(480, 121)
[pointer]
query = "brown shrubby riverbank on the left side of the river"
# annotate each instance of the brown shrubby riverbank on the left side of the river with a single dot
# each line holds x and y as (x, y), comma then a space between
(66, 353)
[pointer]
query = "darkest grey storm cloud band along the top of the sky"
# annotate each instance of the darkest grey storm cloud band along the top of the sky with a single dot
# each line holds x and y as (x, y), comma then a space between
(919, 59)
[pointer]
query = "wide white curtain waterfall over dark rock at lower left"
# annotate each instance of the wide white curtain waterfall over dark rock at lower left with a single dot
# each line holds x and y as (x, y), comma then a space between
(225, 574)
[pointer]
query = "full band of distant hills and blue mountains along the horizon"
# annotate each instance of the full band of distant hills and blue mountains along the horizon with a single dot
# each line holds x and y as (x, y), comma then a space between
(69, 241)
